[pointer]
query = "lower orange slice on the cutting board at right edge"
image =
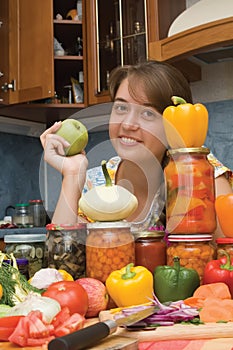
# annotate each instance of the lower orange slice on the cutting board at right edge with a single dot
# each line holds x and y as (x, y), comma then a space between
(216, 310)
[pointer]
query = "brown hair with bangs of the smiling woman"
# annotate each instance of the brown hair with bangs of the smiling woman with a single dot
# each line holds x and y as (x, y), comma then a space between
(159, 81)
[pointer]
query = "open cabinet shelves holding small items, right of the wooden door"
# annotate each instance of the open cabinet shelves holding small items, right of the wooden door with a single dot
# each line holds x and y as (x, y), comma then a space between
(69, 65)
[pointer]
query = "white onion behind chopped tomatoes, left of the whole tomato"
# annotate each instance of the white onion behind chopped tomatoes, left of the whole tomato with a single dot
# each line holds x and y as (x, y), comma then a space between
(48, 306)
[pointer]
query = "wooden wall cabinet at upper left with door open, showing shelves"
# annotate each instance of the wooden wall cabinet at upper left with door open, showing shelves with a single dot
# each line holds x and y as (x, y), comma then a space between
(30, 71)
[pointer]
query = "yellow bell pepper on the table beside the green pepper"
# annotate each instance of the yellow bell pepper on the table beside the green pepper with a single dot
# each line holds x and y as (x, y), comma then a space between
(131, 285)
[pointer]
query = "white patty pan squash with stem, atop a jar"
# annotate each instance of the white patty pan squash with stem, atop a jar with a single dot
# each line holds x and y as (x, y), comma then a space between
(108, 202)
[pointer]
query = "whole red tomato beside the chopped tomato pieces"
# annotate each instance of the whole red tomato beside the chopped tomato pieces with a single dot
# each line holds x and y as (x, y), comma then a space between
(70, 294)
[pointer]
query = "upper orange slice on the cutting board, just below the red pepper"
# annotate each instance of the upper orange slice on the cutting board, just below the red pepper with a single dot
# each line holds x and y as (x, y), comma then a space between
(216, 290)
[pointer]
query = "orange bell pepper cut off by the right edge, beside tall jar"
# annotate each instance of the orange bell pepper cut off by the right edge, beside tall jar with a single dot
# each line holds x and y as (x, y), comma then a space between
(224, 211)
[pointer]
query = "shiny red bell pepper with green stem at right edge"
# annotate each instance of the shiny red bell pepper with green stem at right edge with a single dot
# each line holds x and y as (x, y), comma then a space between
(220, 270)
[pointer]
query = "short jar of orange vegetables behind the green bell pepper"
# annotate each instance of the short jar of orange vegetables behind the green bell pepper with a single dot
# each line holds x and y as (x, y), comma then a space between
(194, 251)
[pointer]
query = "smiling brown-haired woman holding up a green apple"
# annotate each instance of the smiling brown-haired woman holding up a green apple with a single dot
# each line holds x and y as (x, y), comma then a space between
(140, 94)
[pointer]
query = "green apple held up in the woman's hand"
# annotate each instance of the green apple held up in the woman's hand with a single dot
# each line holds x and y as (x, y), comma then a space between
(75, 133)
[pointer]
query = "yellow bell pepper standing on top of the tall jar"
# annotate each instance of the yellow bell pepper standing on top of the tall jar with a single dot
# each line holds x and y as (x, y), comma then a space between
(185, 125)
